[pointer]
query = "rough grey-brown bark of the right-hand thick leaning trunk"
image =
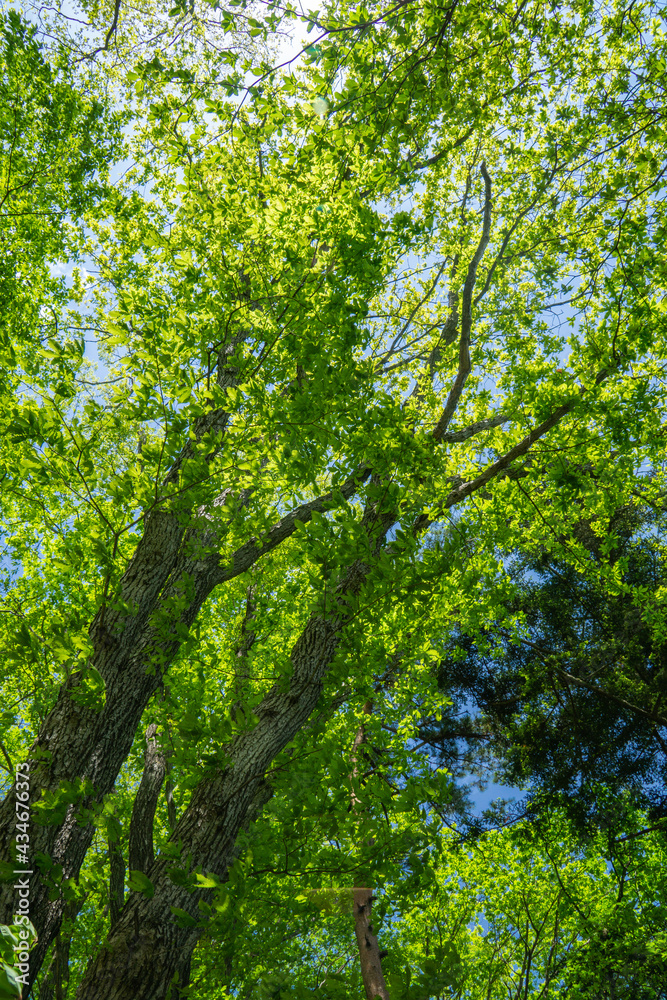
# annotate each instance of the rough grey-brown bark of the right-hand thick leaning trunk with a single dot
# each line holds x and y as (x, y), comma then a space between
(147, 938)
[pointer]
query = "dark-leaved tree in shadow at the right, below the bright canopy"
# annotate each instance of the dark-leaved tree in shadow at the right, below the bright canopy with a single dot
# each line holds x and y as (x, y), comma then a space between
(572, 703)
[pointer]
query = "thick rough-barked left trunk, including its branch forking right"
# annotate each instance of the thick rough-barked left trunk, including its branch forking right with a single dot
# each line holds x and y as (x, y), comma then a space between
(78, 744)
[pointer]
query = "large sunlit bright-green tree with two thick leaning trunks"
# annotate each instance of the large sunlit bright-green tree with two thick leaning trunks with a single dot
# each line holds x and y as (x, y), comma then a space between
(323, 316)
